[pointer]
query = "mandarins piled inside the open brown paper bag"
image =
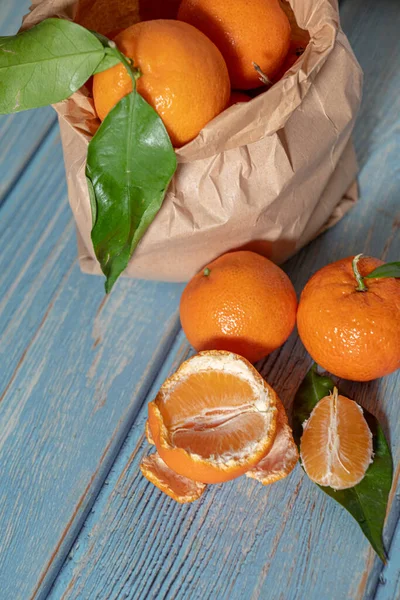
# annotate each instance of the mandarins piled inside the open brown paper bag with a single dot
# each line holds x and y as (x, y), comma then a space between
(189, 64)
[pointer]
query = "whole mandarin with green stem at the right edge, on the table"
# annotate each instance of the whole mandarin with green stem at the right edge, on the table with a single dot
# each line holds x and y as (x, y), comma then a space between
(352, 334)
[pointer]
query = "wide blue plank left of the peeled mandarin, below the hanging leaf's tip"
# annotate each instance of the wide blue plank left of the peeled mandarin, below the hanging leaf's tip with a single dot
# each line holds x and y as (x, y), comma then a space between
(74, 367)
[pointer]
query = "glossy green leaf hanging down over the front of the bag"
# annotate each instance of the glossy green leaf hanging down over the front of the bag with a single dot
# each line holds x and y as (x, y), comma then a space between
(130, 164)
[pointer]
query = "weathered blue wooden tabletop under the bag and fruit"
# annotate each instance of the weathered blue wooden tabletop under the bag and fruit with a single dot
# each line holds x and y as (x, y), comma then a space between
(77, 372)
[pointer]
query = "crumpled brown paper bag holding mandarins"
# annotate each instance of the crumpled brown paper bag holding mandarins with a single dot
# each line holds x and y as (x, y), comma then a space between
(268, 175)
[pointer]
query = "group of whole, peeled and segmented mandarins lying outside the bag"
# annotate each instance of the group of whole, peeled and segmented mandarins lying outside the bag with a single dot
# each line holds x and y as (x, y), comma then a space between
(216, 418)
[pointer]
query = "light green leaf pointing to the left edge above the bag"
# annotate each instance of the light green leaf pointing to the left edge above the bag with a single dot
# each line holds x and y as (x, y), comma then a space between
(46, 64)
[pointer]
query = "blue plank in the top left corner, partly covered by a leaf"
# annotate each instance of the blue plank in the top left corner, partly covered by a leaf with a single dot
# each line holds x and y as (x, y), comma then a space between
(21, 134)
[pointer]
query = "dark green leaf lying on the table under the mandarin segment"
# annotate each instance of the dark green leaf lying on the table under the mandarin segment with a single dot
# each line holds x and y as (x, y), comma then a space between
(367, 501)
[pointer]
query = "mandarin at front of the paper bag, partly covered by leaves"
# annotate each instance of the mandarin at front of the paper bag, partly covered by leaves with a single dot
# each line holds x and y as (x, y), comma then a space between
(184, 76)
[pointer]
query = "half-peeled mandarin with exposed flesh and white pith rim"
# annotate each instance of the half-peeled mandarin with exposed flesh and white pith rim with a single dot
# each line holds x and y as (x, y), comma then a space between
(214, 419)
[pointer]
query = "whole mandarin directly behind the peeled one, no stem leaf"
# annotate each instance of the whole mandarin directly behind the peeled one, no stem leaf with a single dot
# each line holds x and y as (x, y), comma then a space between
(241, 302)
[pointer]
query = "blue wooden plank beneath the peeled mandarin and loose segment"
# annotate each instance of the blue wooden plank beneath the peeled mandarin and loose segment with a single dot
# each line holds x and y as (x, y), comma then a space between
(288, 541)
